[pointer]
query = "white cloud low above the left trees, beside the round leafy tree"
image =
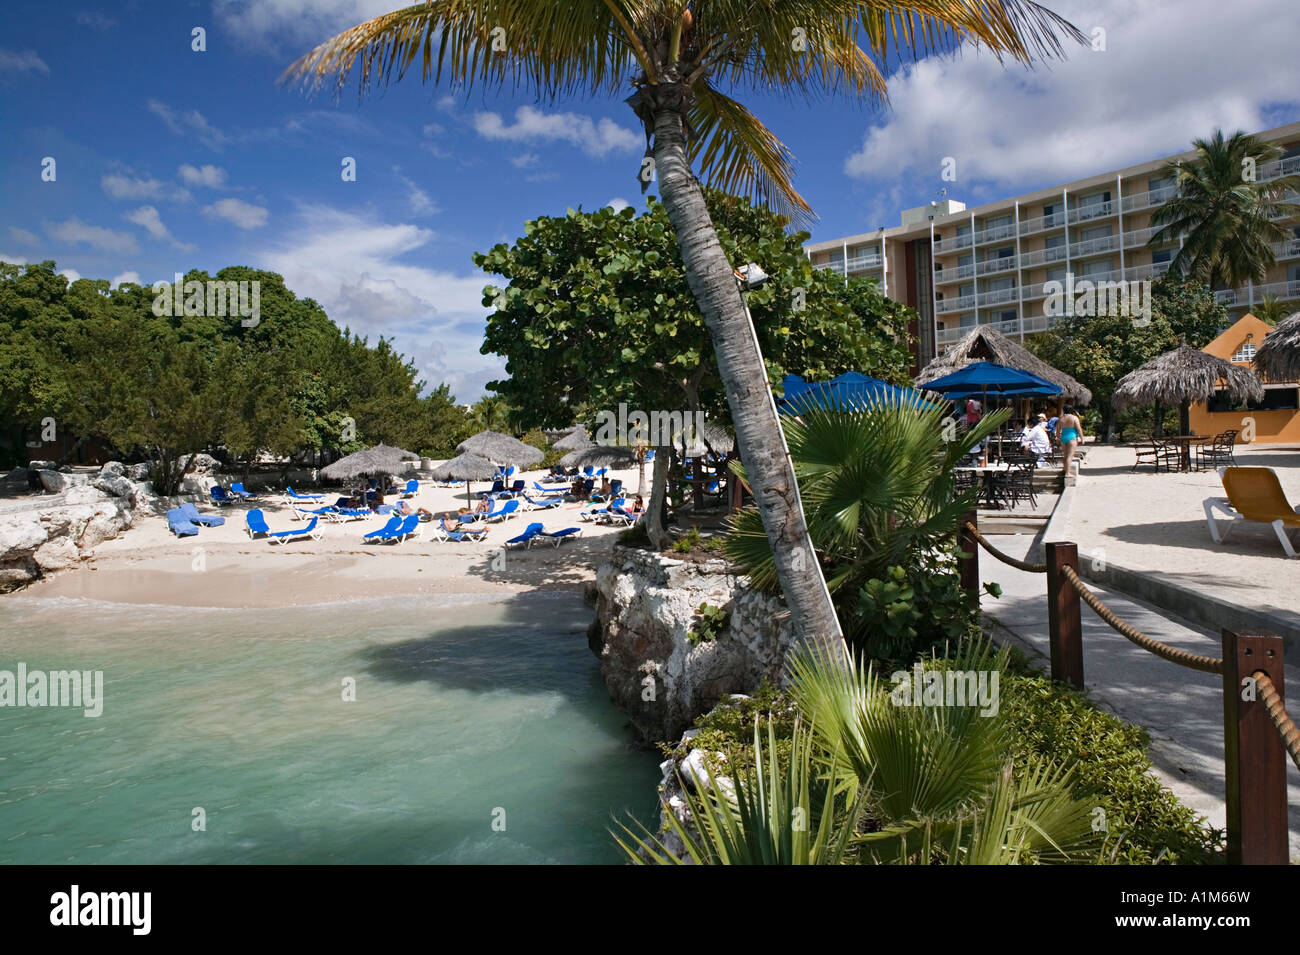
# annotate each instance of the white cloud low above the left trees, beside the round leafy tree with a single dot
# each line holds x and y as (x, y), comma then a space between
(354, 266)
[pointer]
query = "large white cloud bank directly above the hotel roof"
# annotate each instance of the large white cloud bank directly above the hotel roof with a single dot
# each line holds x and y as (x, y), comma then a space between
(1163, 80)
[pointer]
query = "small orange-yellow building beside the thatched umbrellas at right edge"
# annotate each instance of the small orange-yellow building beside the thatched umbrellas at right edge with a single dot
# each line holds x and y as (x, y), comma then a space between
(1276, 419)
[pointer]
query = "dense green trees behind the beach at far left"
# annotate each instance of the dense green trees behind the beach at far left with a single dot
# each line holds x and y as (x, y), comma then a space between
(103, 366)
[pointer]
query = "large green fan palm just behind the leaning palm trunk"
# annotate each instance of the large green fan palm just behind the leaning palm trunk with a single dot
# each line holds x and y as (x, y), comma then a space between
(879, 493)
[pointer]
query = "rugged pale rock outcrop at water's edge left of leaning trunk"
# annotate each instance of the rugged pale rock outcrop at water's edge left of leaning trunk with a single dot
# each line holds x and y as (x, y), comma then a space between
(647, 606)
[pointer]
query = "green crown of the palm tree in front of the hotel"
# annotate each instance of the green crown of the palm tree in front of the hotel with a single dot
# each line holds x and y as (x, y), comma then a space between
(1227, 216)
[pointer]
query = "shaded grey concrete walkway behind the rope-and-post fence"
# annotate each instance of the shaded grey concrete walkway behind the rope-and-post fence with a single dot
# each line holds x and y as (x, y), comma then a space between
(1181, 709)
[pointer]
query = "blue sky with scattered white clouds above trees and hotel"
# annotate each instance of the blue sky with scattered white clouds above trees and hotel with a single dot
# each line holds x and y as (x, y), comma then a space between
(171, 159)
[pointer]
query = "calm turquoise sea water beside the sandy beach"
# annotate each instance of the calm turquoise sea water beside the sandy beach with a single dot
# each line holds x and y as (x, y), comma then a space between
(469, 713)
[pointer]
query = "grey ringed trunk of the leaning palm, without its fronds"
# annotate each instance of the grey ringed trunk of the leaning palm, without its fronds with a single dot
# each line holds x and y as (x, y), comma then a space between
(759, 432)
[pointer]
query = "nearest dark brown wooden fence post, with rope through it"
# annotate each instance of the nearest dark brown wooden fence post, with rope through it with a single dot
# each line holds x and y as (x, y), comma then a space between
(1256, 771)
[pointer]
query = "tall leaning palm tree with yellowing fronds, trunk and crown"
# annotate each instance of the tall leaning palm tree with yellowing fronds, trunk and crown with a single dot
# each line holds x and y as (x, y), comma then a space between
(678, 63)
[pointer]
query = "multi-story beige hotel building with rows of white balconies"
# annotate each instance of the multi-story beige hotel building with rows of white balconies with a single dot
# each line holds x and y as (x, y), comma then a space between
(990, 266)
